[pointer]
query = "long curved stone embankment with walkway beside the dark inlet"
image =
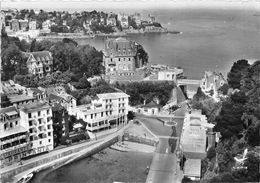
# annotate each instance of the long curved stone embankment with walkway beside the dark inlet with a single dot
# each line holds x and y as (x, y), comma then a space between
(59, 158)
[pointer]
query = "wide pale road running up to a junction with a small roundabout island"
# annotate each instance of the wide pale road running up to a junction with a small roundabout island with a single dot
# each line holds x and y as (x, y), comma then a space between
(164, 167)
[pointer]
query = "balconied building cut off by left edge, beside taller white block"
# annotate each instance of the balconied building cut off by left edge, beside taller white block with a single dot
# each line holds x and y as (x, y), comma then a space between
(14, 139)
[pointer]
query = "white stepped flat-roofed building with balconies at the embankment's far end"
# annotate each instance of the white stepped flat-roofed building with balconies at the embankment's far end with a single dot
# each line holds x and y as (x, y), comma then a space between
(108, 110)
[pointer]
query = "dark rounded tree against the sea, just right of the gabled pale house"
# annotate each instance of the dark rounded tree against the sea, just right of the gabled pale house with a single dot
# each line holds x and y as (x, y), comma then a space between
(236, 73)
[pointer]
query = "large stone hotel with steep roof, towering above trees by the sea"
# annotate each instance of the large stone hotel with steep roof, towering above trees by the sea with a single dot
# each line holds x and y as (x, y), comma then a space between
(122, 60)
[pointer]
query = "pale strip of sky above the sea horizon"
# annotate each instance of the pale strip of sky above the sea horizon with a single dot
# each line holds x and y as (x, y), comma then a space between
(127, 4)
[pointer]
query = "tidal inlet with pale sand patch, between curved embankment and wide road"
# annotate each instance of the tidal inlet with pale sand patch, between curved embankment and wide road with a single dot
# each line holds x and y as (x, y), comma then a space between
(108, 166)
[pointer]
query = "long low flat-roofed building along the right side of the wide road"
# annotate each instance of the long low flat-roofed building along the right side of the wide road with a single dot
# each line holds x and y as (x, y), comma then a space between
(193, 142)
